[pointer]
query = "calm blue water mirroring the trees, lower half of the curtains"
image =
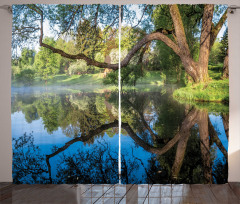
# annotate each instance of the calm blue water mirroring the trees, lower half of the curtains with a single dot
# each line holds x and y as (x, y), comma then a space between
(71, 136)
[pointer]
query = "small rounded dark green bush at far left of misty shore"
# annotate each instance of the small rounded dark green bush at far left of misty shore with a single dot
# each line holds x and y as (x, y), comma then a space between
(26, 76)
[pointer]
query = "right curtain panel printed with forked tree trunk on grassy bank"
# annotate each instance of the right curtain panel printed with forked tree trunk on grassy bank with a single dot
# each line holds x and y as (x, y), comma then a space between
(174, 93)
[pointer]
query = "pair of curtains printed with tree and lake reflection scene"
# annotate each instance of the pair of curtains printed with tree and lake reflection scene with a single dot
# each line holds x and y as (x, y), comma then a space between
(174, 90)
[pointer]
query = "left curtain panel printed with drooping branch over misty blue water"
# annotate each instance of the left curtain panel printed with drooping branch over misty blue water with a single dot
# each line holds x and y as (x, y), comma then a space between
(64, 113)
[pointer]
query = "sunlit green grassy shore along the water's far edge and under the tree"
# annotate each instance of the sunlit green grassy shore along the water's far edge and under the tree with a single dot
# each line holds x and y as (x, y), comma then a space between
(216, 90)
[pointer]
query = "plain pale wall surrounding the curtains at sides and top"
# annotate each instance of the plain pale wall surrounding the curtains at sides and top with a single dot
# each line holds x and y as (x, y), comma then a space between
(5, 79)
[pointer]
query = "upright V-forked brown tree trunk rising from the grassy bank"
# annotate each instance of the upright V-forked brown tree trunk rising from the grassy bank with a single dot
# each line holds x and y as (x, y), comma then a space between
(197, 70)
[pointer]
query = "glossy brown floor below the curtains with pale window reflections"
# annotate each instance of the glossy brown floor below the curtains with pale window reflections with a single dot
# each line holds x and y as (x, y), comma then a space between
(74, 194)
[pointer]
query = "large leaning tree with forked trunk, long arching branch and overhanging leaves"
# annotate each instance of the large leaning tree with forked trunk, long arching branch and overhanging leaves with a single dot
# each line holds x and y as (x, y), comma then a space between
(29, 21)
